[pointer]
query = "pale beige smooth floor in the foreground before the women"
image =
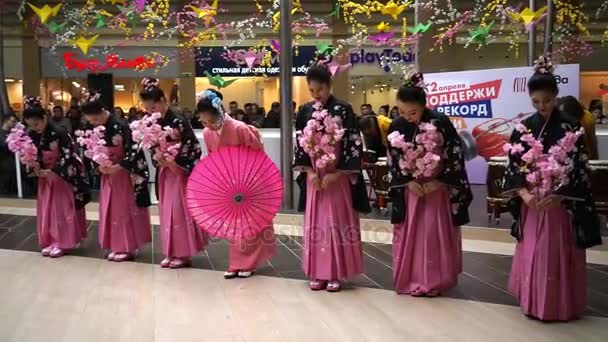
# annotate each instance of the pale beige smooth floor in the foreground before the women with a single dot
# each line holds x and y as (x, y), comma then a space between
(86, 299)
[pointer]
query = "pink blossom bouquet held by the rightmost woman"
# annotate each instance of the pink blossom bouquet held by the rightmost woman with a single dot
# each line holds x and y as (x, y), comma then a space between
(544, 173)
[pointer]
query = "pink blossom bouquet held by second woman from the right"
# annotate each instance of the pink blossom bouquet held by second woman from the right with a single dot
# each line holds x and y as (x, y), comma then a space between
(421, 159)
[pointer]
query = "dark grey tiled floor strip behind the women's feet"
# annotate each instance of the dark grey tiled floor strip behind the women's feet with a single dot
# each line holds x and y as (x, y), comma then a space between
(484, 278)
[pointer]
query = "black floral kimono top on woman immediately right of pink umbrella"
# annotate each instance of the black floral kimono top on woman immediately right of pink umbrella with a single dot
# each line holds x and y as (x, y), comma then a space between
(349, 160)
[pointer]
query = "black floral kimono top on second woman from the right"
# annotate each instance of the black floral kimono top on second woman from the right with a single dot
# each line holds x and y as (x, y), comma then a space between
(453, 174)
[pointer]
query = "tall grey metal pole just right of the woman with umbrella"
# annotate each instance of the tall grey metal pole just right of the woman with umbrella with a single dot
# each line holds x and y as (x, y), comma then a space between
(286, 100)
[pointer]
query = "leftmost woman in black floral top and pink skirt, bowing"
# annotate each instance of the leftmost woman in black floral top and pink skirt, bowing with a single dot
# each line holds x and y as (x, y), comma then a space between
(62, 188)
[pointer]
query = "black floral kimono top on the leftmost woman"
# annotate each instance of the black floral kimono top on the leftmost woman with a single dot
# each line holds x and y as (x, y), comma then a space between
(69, 166)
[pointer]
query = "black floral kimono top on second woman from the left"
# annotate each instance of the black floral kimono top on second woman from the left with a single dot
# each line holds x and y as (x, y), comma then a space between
(133, 160)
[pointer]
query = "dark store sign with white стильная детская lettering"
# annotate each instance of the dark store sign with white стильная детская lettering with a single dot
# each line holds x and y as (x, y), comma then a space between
(215, 62)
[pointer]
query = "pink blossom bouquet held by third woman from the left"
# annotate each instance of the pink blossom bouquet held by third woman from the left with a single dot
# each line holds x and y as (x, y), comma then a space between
(148, 134)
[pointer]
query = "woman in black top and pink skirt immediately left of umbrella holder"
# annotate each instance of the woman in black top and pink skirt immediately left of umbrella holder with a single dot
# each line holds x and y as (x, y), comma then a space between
(180, 238)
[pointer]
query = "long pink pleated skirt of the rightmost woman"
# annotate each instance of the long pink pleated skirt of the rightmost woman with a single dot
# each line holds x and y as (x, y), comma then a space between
(548, 272)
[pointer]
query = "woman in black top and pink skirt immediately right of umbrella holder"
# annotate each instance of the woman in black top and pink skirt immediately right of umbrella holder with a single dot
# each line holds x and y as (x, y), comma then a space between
(334, 194)
